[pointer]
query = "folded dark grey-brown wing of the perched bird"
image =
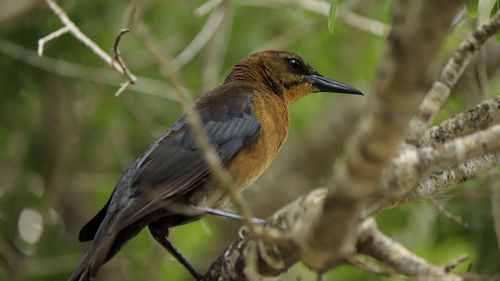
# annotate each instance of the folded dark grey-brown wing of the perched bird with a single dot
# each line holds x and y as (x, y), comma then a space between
(173, 164)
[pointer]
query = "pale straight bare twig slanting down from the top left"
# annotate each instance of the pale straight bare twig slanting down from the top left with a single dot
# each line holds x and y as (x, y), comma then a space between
(76, 32)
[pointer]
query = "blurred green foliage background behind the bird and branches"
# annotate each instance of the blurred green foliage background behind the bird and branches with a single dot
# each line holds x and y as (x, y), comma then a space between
(65, 139)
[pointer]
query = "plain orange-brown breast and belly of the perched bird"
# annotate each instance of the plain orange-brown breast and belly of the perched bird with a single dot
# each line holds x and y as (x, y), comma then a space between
(272, 114)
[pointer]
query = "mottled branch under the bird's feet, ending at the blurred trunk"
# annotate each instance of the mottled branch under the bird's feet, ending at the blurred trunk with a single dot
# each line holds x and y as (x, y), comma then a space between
(252, 259)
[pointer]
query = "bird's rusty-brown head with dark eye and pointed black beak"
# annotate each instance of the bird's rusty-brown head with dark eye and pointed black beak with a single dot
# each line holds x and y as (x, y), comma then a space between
(286, 74)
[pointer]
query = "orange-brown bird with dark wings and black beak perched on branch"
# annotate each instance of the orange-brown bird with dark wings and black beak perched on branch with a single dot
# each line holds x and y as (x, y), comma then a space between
(246, 121)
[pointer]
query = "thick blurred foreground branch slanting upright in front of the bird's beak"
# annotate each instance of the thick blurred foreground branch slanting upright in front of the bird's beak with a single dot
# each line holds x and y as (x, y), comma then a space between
(418, 30)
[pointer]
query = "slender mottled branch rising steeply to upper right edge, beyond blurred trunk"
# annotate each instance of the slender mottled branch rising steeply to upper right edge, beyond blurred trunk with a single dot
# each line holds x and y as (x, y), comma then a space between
(451, 72)
